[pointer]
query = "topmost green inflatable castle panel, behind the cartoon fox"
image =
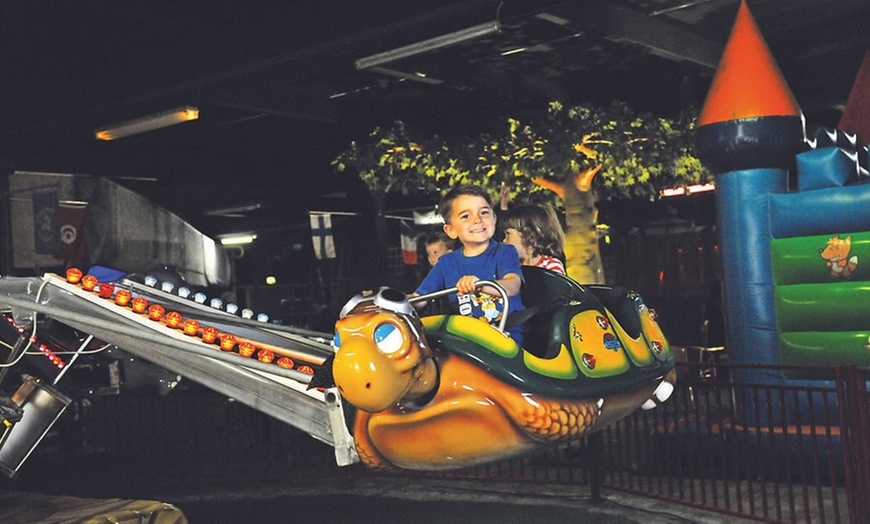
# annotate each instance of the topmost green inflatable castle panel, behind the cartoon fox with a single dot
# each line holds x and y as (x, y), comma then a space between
(798, 260)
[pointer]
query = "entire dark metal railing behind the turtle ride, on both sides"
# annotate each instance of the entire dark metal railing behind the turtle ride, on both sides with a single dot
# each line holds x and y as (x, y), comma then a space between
(774, 452)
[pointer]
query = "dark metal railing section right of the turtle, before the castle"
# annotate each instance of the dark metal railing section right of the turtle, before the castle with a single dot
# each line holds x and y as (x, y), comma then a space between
(773, 452)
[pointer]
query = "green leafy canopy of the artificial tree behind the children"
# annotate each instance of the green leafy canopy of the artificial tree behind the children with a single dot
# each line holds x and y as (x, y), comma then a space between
(639, 154)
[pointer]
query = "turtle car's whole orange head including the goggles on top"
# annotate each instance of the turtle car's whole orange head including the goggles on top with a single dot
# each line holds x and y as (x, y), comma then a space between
(381, 355)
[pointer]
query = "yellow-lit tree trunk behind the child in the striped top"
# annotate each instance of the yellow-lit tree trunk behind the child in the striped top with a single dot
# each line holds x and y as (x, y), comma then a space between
(581, 236)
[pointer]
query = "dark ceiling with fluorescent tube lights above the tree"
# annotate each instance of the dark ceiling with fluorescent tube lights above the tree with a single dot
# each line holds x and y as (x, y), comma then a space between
(280, 95)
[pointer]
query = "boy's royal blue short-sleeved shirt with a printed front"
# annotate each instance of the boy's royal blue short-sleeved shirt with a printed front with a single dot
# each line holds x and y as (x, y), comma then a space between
(494, 263)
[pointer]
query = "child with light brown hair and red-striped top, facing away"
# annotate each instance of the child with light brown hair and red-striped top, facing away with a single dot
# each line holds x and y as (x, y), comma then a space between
(536, 233)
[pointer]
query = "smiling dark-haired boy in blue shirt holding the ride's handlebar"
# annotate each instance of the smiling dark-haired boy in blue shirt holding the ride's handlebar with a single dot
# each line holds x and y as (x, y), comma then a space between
(469, 217)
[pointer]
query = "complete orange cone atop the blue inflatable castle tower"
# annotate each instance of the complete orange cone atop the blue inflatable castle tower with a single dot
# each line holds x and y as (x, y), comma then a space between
(748, 83)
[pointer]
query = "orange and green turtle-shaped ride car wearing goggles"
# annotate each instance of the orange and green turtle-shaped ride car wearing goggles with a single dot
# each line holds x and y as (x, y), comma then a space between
(448, 391)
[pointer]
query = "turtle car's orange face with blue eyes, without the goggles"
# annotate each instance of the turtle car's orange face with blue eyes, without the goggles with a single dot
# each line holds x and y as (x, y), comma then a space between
(377, 359)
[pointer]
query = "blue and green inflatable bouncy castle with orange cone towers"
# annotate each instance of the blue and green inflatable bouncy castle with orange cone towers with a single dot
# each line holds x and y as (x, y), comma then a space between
(794, 217)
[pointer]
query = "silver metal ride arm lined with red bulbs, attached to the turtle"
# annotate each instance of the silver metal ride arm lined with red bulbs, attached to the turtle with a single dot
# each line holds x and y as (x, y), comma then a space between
(281, 393)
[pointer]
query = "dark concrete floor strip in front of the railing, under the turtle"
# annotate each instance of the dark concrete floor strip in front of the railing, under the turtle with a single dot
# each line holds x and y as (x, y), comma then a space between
(384, 499)
